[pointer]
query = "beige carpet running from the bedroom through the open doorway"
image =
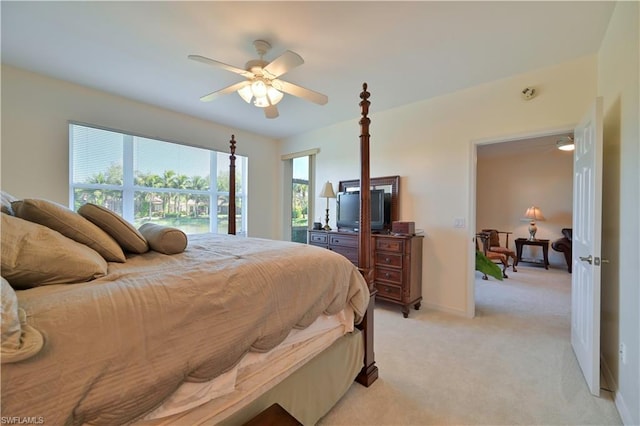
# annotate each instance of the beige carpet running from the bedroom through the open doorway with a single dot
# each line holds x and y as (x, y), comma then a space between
(512, 364)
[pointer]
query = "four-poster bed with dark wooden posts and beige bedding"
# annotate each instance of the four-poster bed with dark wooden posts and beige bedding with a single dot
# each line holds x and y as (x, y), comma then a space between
(209, 331)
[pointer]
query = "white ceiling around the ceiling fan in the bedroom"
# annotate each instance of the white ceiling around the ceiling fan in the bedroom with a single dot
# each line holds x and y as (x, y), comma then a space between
(405, 51)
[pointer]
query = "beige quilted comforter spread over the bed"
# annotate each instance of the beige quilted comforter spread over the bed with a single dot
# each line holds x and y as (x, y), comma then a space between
(117, 346)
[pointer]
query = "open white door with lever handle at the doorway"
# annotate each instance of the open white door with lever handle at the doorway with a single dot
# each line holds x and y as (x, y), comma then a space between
(587, 215)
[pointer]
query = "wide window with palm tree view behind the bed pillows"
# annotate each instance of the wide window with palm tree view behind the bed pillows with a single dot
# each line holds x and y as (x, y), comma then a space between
(147, 180)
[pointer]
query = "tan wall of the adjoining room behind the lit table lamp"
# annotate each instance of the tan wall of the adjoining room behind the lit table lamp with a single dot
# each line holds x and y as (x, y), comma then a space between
(508, 183)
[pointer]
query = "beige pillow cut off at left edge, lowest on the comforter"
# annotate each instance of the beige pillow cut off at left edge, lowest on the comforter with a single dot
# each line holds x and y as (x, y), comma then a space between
(19, 340)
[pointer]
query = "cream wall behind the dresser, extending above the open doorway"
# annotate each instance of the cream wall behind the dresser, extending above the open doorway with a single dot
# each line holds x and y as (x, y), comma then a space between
(428, 144)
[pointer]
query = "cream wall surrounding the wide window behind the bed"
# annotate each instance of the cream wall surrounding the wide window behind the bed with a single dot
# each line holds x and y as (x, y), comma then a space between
(35, 141)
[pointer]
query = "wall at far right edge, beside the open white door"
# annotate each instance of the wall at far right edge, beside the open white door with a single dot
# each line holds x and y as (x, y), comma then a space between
(618, 74)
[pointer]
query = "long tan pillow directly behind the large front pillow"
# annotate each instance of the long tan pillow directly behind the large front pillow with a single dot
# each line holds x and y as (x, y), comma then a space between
(70, 224)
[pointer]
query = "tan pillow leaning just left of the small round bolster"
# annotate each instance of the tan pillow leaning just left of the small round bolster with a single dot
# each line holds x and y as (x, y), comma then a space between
(129, 238)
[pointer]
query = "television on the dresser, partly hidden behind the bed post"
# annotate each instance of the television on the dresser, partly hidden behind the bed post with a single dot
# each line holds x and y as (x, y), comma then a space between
(348, 210)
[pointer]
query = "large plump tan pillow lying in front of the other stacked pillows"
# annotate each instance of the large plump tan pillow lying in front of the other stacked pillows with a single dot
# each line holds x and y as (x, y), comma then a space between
(34, 255)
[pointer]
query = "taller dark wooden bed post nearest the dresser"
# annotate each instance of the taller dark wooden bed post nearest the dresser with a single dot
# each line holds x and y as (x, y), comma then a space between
(369, 372)
